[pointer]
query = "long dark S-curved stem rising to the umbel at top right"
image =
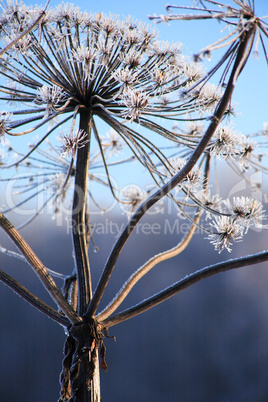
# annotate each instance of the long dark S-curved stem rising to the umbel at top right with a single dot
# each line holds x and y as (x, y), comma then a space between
(217, 116)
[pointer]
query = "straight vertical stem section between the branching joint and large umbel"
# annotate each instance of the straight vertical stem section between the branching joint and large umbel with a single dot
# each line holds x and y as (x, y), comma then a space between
(78, 217)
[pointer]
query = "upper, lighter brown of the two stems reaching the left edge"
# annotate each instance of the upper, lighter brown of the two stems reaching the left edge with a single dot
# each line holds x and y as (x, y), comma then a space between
(39, 269)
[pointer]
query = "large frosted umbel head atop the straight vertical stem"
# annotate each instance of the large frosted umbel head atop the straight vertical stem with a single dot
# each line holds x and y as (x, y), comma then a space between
(73, 60)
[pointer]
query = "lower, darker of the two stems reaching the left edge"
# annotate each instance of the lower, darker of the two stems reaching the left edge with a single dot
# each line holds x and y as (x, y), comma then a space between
(32, 299)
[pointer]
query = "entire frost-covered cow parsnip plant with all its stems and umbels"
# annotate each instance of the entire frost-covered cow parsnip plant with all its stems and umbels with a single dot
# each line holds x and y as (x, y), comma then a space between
(65, 73)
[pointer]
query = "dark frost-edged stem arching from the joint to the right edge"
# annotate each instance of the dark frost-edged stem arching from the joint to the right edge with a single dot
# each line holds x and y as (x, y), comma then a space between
(183, 284)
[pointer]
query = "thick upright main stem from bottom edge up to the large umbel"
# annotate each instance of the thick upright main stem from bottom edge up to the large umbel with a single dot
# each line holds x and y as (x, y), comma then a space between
(80, 377)
